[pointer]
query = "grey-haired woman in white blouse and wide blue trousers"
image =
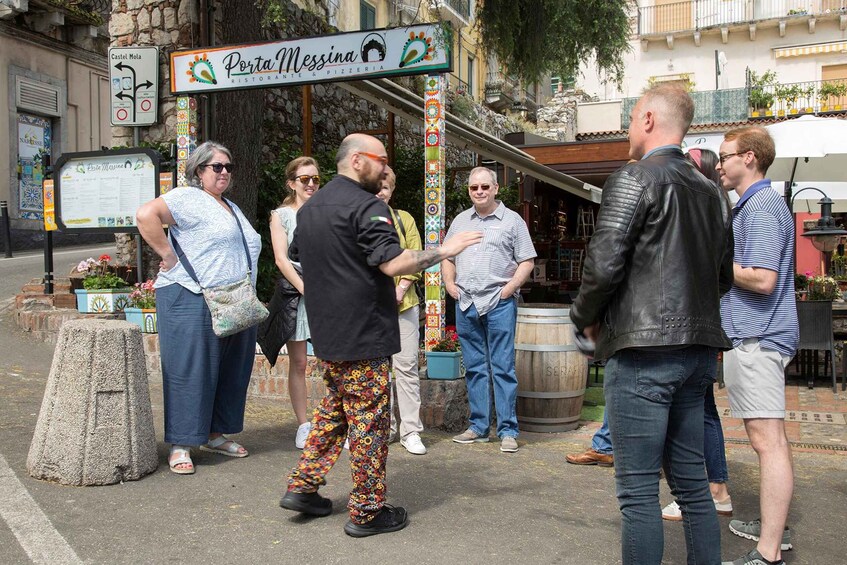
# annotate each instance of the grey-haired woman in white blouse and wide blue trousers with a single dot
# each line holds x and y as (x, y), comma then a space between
(211, 243)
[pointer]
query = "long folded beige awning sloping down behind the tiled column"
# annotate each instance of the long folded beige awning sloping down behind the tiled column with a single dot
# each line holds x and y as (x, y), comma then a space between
(405, 103)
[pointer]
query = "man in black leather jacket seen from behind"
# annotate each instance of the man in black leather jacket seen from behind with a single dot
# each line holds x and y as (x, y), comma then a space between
(657, 264)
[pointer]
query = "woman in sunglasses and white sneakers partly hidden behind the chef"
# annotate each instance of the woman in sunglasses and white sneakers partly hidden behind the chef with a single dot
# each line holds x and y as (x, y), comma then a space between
(303, 180)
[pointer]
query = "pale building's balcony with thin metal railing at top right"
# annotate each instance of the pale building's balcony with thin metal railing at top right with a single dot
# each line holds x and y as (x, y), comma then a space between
(693, 15)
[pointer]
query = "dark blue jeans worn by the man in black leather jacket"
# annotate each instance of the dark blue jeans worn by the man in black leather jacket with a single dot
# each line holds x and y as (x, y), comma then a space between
(654, 400)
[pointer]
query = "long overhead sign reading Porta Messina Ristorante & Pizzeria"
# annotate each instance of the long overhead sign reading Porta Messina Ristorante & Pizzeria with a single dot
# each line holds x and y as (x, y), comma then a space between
(417, 49)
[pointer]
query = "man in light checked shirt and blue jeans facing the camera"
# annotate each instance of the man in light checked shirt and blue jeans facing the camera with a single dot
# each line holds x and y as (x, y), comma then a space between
(484, 280)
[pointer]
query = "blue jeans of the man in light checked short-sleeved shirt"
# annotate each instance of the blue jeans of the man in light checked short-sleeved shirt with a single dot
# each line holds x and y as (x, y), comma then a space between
(488, 350)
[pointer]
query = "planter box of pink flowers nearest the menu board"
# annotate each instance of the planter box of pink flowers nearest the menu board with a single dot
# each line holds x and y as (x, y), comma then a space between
(102, 289)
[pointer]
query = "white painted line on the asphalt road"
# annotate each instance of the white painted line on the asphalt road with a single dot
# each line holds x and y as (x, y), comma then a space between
(37, 536)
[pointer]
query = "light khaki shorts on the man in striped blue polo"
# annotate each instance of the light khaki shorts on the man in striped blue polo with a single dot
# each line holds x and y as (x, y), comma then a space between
(755, 380)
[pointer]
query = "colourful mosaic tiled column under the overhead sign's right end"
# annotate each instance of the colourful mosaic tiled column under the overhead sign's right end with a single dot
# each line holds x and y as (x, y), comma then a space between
(435, 88)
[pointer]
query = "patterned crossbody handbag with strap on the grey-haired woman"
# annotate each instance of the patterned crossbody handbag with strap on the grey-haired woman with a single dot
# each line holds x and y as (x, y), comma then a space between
(234, 307)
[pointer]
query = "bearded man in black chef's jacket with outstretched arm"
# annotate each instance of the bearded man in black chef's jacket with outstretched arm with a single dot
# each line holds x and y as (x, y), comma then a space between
(349, 249)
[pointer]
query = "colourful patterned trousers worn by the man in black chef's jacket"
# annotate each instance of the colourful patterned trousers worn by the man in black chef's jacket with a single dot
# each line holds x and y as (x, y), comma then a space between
(357, 400)
